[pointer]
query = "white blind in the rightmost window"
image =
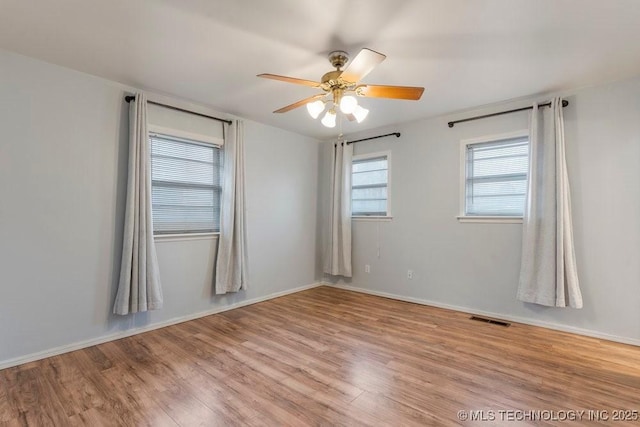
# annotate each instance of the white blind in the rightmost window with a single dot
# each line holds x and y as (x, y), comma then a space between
(496, 177)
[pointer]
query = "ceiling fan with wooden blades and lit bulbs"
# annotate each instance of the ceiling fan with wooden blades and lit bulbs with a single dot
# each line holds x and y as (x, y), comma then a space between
(339, 86)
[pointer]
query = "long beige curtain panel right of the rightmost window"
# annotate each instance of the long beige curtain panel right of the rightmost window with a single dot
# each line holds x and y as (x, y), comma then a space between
(548, 274)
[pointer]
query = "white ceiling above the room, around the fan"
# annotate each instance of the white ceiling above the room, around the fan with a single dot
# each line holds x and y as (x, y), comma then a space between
(465, 53)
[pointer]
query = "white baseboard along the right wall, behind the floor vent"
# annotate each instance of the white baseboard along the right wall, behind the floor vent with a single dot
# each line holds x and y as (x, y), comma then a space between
(517, 319)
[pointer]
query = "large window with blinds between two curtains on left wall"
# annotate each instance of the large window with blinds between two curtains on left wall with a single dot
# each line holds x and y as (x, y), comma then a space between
(185, 181)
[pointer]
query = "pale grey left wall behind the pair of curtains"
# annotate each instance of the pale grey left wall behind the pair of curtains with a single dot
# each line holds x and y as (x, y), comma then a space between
(63, 160)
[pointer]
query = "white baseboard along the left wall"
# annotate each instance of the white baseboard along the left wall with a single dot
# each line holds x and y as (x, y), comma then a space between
(123, 334)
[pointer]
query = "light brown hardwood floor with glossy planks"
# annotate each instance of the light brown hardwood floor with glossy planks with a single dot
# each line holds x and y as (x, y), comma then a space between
(328, 357)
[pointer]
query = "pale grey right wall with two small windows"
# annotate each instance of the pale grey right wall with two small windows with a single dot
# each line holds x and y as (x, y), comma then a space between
(475, 266)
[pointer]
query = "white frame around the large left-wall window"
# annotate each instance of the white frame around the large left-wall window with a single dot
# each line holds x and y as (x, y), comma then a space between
(196, 139)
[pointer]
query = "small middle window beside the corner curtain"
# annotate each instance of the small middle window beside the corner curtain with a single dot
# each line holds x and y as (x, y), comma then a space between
(370, 185)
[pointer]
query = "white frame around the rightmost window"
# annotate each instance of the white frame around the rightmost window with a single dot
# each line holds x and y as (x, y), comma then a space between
(463, 217)
